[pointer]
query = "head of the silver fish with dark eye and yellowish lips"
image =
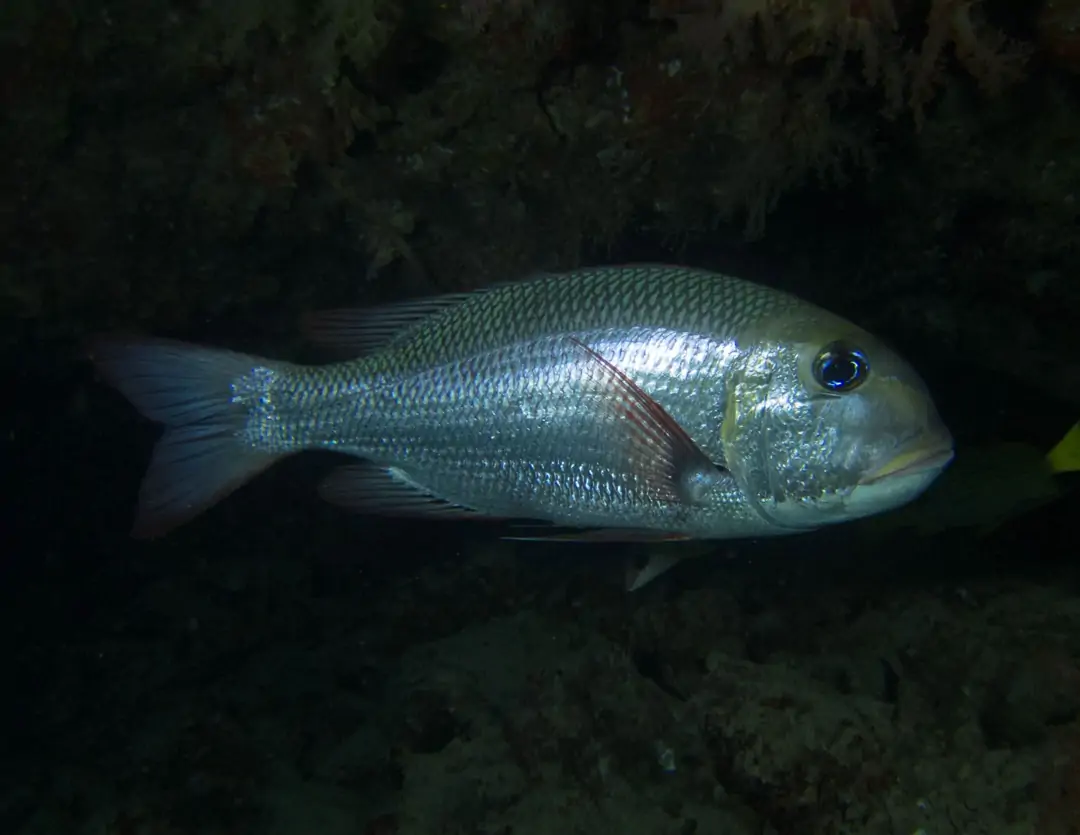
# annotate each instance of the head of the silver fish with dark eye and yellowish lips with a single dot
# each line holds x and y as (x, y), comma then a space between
(826, 424)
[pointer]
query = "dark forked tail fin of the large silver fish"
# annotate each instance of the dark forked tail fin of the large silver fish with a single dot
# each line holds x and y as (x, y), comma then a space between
(202, 457)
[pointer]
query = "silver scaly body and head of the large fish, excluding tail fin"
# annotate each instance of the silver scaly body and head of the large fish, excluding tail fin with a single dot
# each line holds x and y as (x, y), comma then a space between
(488, 402)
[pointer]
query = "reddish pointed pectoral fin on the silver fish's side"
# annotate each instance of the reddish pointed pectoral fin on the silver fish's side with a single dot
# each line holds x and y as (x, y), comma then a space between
(657, 447)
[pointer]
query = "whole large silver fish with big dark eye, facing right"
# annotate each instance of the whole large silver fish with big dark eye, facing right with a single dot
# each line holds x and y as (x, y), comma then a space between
(627, 402)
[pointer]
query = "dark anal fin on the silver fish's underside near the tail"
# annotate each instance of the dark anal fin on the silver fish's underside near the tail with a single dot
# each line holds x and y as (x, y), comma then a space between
(387, 492)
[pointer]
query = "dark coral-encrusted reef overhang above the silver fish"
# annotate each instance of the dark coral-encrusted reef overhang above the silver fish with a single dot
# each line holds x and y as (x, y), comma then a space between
(173, 160)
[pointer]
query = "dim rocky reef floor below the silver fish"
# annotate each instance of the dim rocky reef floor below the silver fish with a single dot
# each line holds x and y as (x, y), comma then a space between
(519, 691)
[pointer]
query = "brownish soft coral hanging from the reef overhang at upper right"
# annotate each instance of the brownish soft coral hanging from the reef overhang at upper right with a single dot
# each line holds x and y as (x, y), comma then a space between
(779, 85)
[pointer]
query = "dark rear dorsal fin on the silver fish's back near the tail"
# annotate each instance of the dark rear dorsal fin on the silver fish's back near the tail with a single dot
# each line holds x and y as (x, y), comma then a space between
(361, 331)
